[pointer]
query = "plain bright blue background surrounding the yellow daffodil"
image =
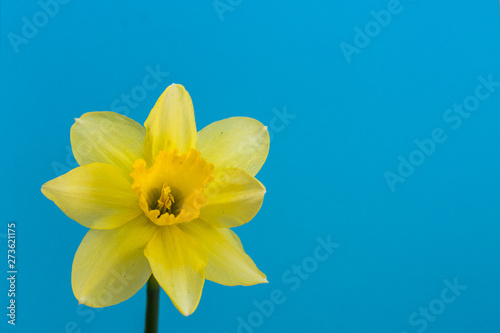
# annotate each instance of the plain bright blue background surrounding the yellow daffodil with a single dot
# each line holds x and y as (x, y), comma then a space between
(325, 171)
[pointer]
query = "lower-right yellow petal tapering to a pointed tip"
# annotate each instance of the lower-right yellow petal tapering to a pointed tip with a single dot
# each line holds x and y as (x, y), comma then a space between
(228, 264)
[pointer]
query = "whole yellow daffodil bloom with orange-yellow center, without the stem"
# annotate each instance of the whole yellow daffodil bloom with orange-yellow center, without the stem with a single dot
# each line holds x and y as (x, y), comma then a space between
(161, 200)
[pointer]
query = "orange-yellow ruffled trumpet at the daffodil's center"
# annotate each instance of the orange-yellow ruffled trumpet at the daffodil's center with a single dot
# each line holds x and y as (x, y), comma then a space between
(171, 190)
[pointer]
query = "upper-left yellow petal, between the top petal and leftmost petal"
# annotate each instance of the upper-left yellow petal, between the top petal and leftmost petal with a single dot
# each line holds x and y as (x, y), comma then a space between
(107, 137)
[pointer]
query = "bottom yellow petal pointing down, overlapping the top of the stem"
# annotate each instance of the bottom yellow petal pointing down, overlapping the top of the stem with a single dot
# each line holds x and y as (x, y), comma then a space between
(178, 263)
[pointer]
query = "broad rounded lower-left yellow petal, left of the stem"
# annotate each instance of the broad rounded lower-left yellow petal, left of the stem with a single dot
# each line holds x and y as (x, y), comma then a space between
(110, 266)
